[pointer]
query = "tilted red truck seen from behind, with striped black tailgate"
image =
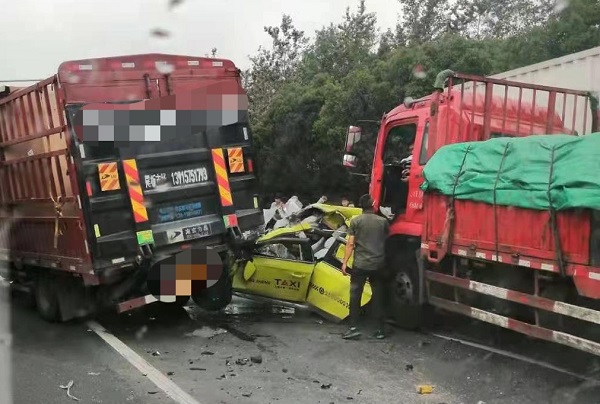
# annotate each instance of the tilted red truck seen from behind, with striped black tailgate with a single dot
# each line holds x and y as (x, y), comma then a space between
(172, 169)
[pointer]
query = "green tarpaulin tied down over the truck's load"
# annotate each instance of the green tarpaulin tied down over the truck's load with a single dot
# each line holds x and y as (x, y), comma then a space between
(535, 172)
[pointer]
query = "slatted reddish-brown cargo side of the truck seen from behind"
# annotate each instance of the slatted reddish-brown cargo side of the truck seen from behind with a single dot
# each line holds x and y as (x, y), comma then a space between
(37, 196)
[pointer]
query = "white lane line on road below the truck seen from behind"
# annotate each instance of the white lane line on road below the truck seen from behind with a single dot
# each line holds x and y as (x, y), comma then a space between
(161, 381)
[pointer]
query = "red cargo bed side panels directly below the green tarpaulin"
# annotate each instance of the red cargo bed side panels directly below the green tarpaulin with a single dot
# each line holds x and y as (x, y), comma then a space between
(482, 227)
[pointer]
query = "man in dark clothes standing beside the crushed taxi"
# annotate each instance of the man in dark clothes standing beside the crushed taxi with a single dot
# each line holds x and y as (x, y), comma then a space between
(366, 238)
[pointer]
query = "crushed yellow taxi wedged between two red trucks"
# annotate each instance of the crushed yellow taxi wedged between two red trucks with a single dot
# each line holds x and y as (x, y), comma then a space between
(301, 263)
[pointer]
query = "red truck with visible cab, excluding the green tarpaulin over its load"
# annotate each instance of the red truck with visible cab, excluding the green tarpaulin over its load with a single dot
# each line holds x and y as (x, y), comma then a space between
(531, 271)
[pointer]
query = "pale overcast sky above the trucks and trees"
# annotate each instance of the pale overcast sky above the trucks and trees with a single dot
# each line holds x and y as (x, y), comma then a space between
(37, 35)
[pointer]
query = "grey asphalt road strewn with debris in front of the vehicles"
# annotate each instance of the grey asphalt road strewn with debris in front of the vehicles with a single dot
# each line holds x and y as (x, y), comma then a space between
(302, 360)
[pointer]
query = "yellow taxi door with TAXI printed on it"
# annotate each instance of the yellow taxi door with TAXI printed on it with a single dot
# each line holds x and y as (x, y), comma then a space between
(280, 268)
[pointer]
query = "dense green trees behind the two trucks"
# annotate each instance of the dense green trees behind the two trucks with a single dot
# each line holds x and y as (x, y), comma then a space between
(305, 95)
